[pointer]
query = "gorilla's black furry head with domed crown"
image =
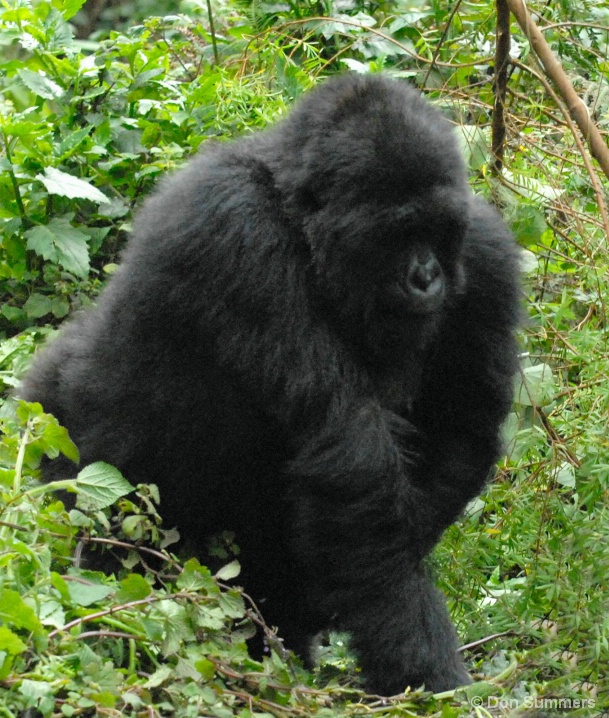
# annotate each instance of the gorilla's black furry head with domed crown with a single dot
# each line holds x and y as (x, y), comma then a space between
(374, 178)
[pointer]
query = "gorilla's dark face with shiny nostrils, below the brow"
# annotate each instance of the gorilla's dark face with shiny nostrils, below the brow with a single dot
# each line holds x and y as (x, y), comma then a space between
(406, 256)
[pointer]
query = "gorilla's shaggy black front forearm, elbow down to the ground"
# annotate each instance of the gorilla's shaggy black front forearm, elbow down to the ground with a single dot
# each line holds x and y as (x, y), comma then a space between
(360, 529)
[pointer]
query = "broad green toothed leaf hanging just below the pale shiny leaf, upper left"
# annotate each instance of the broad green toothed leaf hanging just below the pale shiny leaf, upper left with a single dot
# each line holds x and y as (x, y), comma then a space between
(62, 244)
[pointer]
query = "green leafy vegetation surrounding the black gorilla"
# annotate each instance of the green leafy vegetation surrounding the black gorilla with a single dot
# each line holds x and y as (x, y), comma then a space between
(87, 127)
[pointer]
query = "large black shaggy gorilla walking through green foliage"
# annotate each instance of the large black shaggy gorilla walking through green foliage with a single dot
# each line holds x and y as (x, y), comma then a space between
(310, 341)
